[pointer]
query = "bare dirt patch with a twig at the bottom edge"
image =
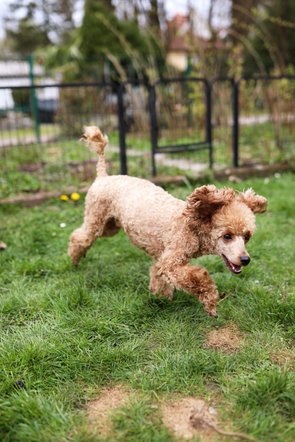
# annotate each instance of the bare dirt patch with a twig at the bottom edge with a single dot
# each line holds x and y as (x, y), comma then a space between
(189, 417)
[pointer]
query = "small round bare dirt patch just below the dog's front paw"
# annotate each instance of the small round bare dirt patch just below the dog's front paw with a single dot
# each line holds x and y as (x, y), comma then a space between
(227, 339)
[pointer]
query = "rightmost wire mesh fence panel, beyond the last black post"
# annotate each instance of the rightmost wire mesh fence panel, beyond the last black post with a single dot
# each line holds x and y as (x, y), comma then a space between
(267, 119)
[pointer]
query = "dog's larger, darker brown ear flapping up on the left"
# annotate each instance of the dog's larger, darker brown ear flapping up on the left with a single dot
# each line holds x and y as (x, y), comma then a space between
(206, 200)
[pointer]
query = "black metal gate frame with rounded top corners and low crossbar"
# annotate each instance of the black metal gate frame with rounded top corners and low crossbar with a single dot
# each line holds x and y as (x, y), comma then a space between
(193, 131)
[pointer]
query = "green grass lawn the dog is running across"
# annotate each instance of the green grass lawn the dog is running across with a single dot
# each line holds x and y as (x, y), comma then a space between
(67, 333)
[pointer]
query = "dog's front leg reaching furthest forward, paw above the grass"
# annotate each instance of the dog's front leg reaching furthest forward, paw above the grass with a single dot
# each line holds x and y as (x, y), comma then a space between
(192, 279)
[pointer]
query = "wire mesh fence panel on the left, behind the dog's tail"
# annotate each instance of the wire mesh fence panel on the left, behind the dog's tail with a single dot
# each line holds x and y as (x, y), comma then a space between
(40, 149)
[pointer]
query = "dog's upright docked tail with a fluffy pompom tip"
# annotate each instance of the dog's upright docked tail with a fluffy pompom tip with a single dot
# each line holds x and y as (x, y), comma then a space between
(97, 141)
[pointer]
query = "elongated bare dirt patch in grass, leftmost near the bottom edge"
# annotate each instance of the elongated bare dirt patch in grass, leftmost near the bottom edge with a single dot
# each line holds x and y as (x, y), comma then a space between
(99, 410)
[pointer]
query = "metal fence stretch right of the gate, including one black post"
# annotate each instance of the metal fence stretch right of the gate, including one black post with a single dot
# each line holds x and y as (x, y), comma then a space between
(253, 119)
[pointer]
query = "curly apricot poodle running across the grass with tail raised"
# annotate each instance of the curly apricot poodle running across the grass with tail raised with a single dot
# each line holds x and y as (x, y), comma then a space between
(211, 222)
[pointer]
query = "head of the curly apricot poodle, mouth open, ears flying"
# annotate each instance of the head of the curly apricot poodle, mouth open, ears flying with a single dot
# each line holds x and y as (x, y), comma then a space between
(229, 218)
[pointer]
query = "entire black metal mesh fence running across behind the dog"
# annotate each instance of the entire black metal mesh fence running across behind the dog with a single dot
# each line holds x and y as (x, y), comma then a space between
(168, 127)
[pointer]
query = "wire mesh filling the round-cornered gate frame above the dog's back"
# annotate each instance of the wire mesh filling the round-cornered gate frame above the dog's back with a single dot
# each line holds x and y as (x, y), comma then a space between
(181, 122)
